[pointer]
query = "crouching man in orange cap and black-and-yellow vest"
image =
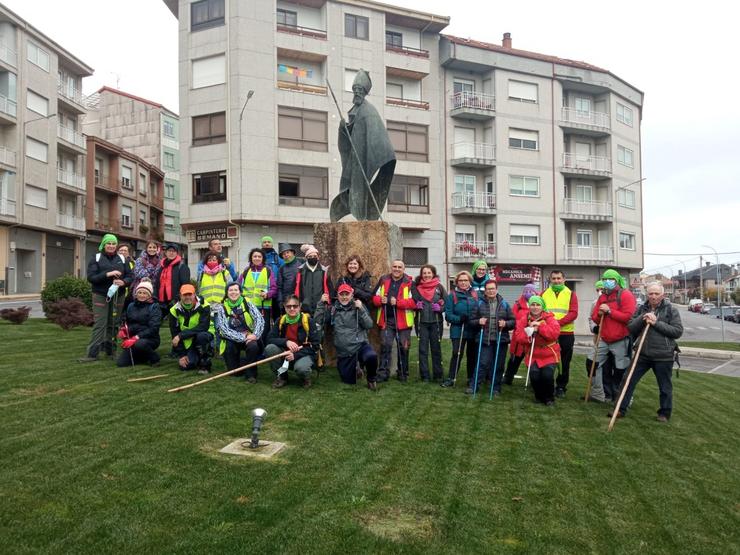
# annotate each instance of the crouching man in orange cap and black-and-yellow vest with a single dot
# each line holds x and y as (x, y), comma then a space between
(191, 341)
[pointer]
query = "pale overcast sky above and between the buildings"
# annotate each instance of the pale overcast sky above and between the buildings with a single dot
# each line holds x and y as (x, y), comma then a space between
(677, 53)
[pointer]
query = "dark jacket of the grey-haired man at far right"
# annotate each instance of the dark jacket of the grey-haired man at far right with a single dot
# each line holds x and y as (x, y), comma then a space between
(660, 341)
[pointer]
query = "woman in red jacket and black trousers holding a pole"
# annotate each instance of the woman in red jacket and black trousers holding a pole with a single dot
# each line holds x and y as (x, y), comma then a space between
(540, 326)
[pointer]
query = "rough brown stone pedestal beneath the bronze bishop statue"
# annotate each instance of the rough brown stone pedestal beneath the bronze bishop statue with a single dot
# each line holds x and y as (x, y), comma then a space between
(376, 243)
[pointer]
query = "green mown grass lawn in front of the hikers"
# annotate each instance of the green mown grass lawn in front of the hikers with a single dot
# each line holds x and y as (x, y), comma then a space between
(94, 464)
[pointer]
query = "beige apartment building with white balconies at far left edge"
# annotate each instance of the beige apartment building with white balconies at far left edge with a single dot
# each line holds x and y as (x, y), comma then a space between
(42, 157)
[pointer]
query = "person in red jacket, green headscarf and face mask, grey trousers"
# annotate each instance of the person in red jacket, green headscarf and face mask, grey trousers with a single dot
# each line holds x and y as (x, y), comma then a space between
(616, 304)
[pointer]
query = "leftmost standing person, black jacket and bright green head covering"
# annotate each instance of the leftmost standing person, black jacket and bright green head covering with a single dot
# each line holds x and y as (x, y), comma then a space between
(109, 275)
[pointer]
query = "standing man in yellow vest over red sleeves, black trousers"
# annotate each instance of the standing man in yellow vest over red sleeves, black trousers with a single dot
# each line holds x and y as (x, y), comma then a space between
(562, 302)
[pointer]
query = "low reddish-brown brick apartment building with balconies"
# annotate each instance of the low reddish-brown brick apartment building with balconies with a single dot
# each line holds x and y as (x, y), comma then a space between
(124, 196)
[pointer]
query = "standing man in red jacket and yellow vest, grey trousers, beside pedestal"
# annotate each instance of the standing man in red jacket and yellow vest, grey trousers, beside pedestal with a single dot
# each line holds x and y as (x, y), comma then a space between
(396, 309)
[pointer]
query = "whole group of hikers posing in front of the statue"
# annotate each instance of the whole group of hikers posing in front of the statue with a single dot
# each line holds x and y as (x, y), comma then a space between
(281, 304)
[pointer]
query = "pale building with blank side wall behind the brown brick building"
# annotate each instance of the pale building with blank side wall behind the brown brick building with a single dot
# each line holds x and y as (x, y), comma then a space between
(148, 130)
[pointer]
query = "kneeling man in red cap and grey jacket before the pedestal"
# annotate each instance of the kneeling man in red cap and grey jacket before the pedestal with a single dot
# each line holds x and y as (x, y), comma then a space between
(351, 322)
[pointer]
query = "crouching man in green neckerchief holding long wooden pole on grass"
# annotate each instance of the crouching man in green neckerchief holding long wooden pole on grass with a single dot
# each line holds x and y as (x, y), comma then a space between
(297, 332)
